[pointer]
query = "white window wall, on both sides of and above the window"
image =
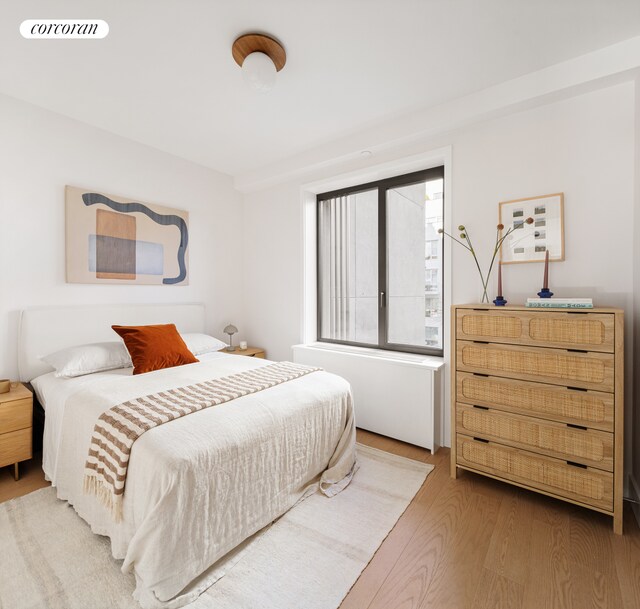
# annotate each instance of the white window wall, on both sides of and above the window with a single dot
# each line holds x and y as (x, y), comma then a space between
(582, 146)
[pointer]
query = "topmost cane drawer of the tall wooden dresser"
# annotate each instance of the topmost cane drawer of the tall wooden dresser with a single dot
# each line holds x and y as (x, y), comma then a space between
(575, 330)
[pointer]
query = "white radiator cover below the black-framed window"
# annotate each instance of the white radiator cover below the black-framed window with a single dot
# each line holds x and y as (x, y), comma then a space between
(395, 395)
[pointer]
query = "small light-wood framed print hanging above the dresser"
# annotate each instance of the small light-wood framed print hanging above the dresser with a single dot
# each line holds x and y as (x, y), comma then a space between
(529, 242)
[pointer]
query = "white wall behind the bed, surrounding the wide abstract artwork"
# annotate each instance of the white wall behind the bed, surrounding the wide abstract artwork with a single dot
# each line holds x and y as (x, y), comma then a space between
(40, 152)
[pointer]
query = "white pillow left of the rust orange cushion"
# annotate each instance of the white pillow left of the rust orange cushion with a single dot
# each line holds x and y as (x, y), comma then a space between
(86, 359)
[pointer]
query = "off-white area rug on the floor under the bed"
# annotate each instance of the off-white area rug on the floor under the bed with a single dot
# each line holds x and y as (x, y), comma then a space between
(308, 559)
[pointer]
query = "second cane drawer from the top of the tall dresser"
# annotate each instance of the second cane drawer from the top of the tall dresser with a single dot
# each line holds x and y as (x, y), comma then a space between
(556, 366)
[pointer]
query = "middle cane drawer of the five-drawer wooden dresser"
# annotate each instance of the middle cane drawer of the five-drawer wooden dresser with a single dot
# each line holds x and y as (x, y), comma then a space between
(592, 409)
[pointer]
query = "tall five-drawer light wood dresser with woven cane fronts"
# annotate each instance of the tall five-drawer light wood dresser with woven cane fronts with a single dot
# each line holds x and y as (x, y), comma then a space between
(538, 400)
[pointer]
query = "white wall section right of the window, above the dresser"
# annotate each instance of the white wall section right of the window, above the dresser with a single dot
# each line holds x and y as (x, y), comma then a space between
(583, 147)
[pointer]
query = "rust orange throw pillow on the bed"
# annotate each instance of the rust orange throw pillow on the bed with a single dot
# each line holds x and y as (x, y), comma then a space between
(155, 347)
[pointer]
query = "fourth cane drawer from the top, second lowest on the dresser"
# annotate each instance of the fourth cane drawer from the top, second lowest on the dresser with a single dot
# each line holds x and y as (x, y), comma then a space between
(589, 447)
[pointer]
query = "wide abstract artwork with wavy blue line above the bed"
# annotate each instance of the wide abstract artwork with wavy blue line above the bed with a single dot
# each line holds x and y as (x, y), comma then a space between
(112, 239)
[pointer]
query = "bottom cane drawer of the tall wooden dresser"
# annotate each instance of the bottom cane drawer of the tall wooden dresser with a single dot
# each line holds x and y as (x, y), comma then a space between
(584, 485)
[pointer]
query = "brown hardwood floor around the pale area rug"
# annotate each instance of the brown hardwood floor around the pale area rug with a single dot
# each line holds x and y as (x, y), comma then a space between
(475, 543)
